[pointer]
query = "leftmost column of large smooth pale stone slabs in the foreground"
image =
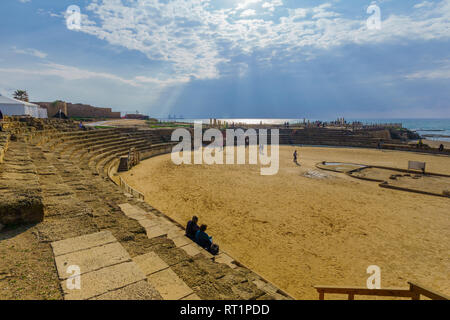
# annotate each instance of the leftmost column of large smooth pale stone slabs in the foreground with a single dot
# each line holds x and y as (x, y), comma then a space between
(103, 269)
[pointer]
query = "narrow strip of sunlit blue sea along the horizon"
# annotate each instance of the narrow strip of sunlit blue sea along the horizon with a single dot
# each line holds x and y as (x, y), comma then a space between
(432, 129)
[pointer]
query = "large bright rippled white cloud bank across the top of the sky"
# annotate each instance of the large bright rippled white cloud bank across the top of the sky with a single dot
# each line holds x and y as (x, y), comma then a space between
(193, 40)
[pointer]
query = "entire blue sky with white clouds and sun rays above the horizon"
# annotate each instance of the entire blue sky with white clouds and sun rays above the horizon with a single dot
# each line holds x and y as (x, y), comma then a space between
(232, 58)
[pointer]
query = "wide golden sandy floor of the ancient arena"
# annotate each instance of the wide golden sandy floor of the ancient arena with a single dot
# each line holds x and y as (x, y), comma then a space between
(303, 226)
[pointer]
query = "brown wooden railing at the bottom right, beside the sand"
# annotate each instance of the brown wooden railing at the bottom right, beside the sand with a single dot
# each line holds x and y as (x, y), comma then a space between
(414, 292)
